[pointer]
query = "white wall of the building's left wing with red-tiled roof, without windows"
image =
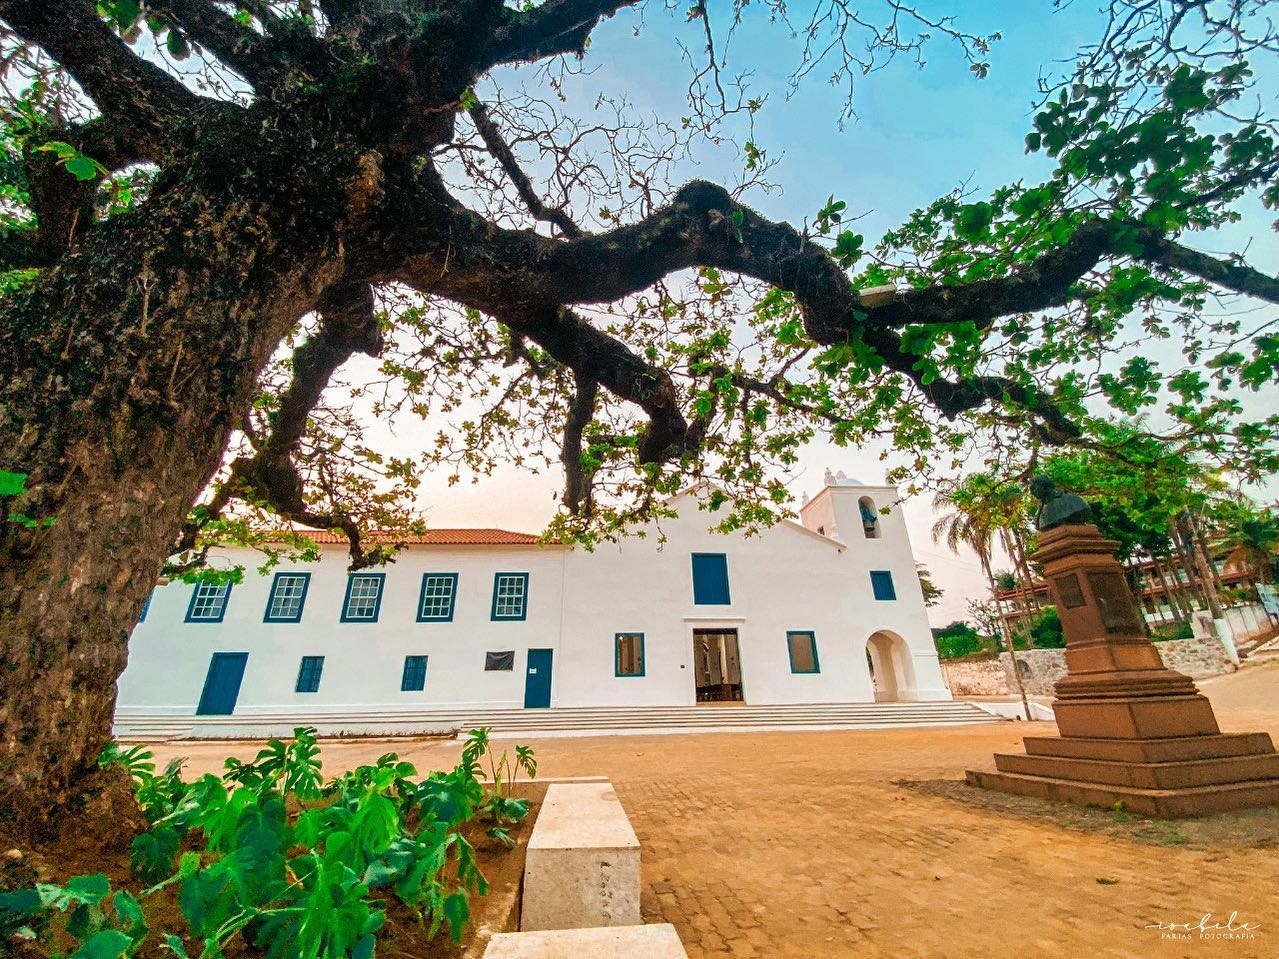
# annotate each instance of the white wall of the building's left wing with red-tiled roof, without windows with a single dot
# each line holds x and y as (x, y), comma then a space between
(364, 662)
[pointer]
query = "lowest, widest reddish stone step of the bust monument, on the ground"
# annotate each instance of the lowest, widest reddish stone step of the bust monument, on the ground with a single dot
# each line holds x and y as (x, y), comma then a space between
(1165, 804)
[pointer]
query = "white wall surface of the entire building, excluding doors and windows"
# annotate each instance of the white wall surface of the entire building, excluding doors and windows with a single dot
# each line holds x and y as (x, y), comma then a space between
(787, 579)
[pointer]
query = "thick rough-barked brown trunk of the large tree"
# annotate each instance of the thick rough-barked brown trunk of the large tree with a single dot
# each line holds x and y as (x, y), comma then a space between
(118, 393)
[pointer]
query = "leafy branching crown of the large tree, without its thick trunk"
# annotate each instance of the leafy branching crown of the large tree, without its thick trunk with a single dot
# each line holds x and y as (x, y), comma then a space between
(654, 334)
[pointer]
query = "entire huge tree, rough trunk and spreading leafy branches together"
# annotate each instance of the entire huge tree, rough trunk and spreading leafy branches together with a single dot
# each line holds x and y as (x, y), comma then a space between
(212, 207)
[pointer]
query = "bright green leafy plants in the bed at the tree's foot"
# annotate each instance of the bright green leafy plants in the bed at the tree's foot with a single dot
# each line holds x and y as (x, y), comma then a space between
(292, 866)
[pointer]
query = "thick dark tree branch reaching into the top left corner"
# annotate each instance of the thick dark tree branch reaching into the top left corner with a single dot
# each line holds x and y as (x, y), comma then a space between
(126, 89)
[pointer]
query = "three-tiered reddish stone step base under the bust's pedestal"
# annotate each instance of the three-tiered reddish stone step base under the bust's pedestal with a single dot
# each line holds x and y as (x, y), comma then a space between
(1170, 778)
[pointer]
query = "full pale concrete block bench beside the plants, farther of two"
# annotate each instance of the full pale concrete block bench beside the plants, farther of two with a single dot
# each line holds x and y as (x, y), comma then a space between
(583, 865)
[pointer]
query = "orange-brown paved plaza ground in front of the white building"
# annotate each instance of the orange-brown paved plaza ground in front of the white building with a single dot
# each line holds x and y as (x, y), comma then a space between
(867, 845)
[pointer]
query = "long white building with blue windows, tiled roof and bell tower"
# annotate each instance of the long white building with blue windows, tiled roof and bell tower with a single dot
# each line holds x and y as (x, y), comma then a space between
(828, 611)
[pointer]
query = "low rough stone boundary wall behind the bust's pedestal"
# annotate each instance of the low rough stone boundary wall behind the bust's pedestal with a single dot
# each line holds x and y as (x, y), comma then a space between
(1043, 668)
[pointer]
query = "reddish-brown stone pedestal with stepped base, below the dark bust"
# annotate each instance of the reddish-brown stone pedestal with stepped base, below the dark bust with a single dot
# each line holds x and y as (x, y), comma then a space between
(1131, 731)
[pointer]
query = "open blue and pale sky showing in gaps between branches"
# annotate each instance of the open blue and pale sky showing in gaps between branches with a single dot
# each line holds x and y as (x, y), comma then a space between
(918, 135)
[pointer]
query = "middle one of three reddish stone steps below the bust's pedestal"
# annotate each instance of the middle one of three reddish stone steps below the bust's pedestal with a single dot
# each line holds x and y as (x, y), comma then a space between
(1145, 776)
